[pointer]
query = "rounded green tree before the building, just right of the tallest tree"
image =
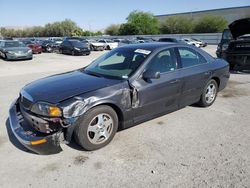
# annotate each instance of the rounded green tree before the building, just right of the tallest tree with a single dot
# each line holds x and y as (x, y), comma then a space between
(176, 25)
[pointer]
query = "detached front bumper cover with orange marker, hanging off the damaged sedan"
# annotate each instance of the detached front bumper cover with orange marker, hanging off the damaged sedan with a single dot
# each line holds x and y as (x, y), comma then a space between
(33, 140)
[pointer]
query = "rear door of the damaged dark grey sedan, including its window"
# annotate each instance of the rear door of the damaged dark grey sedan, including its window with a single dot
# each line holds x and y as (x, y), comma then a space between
(195, 72)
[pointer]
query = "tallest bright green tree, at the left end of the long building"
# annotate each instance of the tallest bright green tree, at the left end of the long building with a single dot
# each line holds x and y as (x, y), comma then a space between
(140, 23)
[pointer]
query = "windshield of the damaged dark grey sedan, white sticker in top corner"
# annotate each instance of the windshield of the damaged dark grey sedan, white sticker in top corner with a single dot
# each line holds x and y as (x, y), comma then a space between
(119, 63)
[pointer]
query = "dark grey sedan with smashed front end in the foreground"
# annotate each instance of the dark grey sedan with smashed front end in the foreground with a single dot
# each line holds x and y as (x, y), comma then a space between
(120, 89)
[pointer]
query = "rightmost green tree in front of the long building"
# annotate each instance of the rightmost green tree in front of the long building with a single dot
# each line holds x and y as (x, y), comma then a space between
(210, 24)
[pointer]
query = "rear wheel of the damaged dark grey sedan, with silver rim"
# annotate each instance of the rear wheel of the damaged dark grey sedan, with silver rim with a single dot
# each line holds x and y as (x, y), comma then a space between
(209, 94)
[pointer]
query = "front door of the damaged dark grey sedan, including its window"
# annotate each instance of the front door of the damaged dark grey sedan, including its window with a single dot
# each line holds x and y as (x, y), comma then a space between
(156, 96)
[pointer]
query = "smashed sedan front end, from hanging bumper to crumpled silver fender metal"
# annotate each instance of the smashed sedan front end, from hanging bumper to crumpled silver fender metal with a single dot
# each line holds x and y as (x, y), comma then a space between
(41, 134)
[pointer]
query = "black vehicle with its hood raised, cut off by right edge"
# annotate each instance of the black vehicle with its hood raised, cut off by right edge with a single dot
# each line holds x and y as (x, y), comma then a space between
(235, 44)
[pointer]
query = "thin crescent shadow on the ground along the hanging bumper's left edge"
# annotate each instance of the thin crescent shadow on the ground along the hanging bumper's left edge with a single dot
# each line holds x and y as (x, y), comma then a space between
(14, 140)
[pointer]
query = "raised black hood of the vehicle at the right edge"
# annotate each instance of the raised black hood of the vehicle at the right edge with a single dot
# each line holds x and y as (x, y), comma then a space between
(240, 27)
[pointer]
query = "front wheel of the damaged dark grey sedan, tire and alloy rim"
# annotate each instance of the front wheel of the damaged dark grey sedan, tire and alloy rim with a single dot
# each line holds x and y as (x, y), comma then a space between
(96, 128)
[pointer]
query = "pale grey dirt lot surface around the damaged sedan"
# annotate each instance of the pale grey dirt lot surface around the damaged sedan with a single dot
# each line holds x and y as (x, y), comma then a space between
(193, 147)
